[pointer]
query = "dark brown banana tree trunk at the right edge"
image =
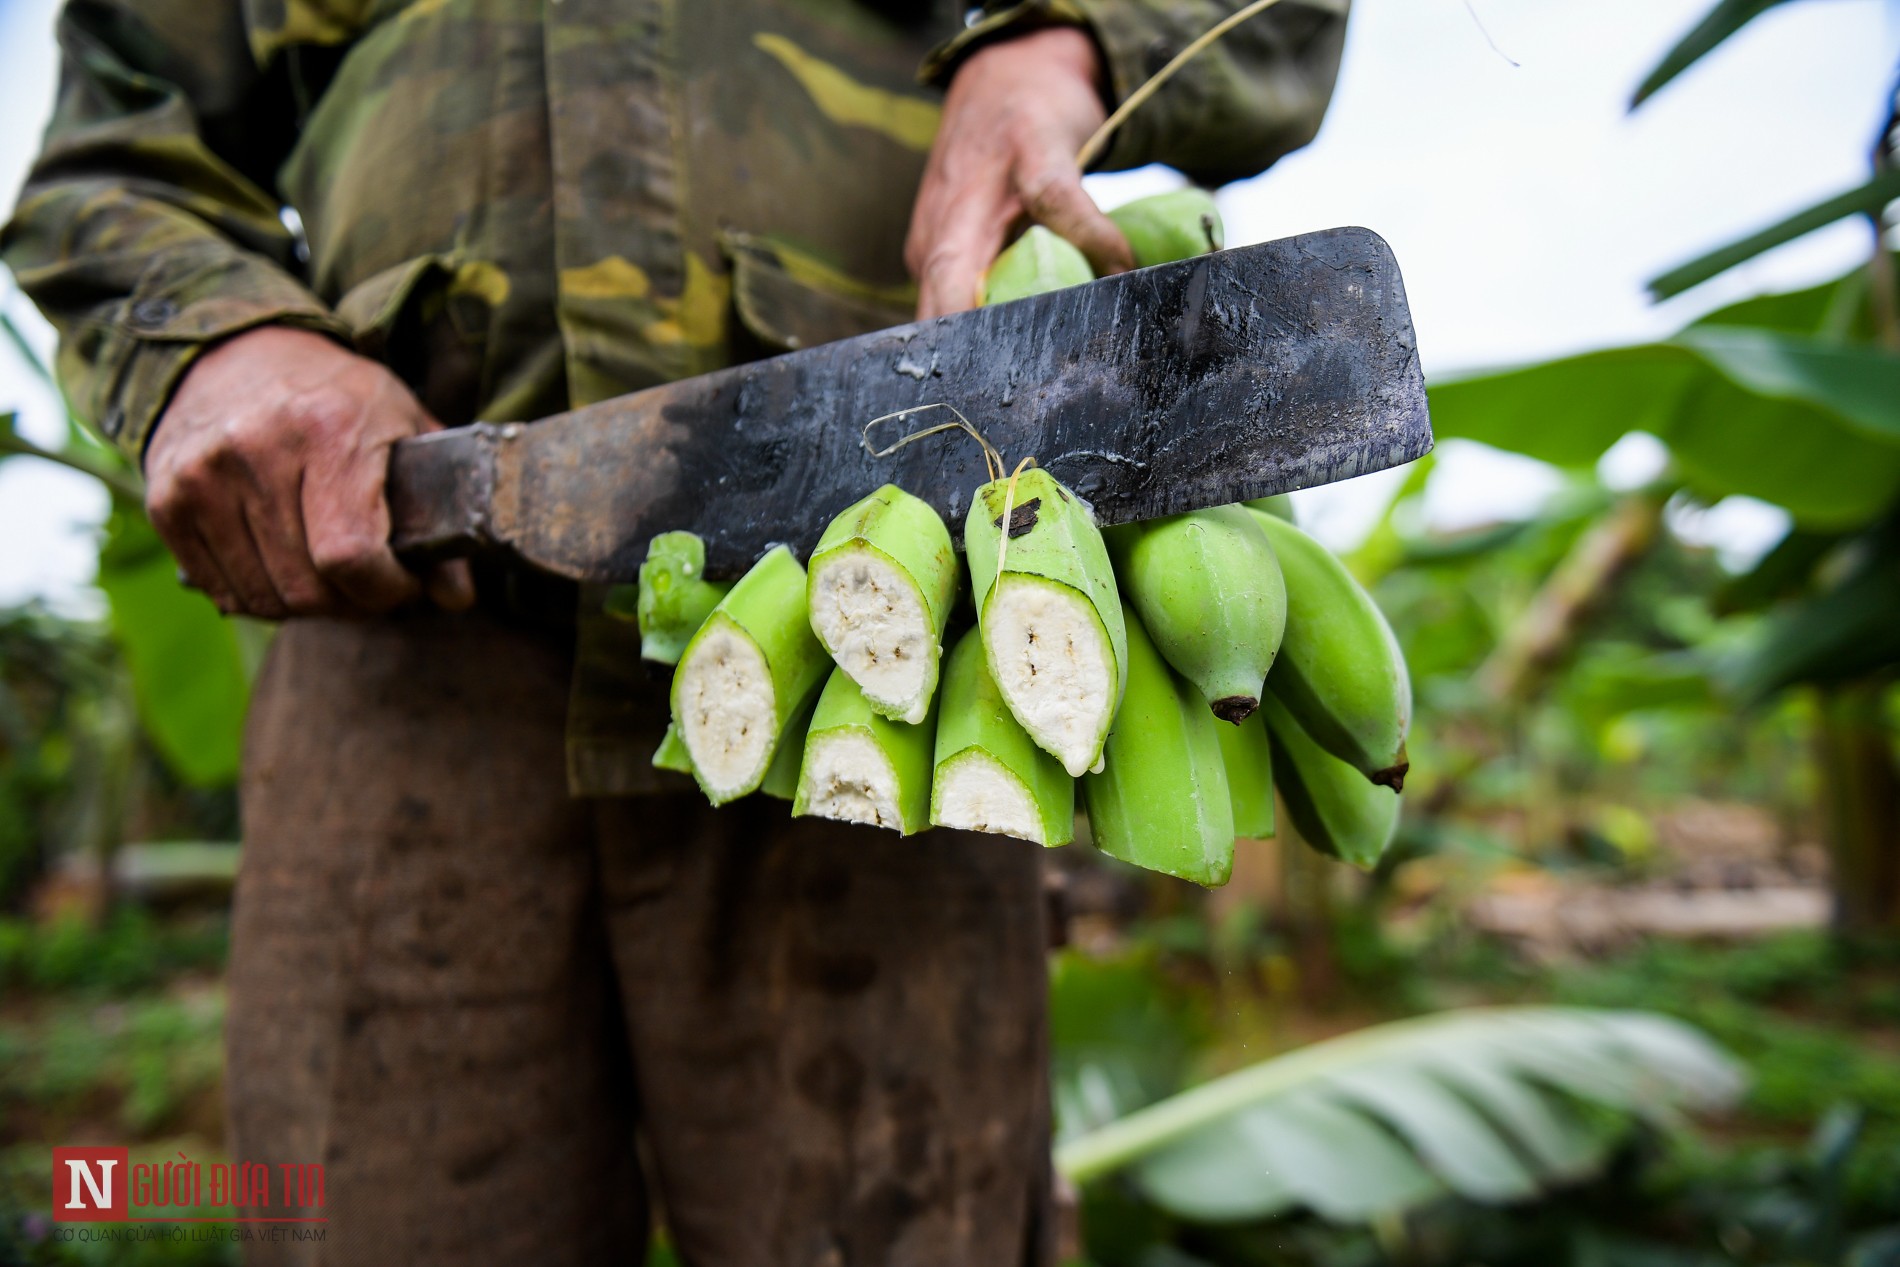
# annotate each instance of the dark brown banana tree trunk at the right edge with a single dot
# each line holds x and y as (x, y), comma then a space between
(1861, 808)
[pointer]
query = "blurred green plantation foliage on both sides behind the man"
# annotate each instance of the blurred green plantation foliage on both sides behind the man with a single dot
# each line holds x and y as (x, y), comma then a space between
(1627, 993)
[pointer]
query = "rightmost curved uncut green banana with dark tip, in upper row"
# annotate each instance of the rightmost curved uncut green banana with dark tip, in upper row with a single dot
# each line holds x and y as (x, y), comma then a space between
(1340, 668)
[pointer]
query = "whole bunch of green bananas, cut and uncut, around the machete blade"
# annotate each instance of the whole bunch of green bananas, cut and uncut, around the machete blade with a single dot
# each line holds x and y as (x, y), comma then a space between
(1171, 670)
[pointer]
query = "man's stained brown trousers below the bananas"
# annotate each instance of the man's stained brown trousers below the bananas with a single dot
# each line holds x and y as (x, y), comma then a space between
(468, 996)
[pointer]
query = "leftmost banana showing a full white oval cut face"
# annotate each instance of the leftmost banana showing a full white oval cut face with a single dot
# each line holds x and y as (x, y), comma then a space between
(746, 675)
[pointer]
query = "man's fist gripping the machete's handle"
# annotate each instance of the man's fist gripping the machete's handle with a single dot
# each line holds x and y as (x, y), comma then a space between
(265, 478)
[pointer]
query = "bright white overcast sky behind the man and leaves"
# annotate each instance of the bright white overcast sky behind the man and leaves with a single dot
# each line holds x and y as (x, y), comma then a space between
(1525, 206)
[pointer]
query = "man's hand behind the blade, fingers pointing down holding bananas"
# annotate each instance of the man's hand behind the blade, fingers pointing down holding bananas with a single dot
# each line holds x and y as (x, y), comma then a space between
(1014, 121)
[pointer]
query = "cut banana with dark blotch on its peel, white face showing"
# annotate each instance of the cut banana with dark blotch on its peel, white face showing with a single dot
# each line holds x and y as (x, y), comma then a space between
(1052, 622)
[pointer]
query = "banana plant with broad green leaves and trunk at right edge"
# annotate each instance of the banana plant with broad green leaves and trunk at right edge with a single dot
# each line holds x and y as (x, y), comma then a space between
(1793, 400)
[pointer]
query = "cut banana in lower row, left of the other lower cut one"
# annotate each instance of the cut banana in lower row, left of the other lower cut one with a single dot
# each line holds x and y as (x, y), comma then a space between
(860, 766)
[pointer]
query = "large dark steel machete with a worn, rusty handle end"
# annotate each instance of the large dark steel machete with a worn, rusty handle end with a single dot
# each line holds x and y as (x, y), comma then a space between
(1213, 381)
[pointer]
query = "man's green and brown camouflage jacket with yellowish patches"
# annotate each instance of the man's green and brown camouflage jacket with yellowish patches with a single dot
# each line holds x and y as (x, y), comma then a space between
(525, 206)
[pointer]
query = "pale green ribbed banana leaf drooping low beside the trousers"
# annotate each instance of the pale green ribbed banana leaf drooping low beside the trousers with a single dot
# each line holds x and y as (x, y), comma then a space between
(1483, 1103)
